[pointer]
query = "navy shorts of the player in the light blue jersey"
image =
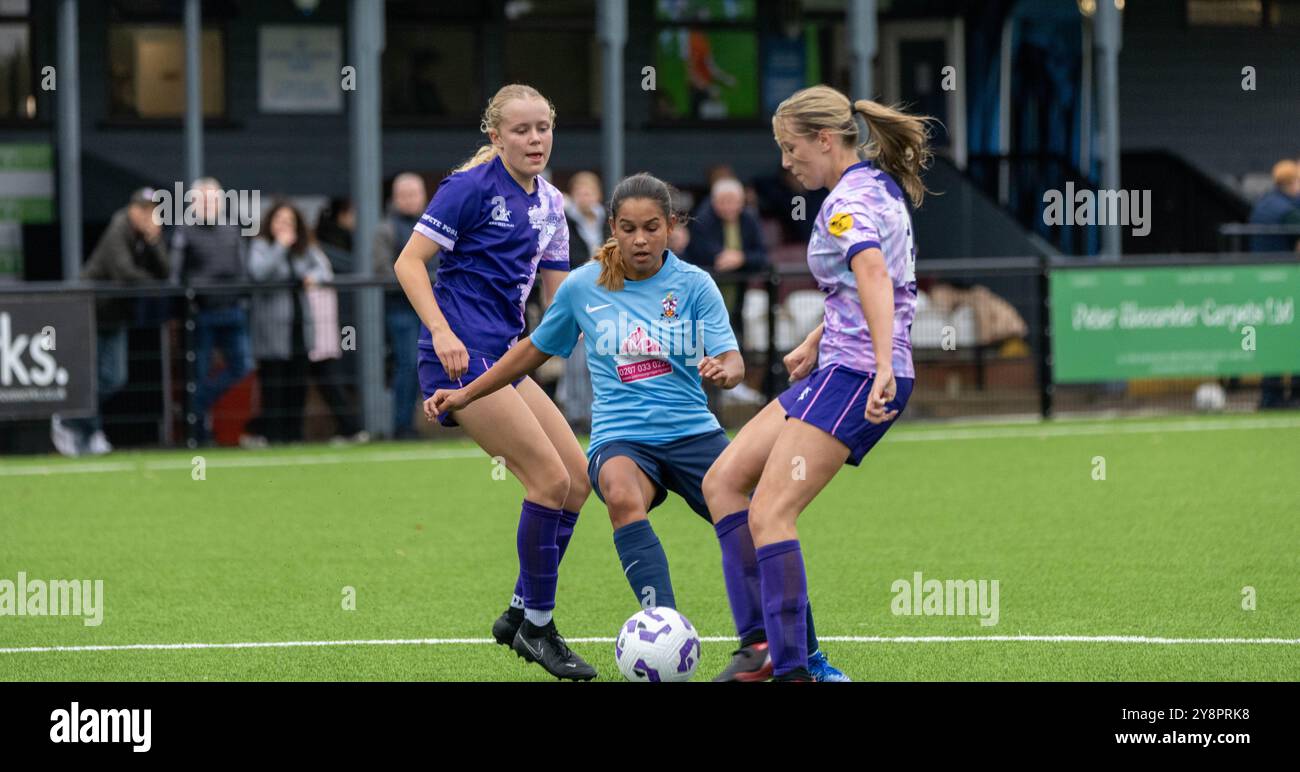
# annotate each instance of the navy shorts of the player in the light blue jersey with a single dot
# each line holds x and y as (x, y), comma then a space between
(678, 466)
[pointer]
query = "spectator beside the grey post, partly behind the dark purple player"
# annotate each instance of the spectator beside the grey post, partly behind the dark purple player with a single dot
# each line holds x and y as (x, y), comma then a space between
(402, 323)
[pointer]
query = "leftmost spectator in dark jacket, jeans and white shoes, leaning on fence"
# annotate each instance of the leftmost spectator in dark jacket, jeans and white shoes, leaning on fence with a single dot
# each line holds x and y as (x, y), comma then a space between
(131, 251)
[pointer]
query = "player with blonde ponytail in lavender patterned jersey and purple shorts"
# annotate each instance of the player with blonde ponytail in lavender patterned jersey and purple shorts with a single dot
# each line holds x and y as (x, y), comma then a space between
(864, 259)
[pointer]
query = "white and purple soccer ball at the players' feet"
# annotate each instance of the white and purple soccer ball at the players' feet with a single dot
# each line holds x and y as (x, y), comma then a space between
(657, 645)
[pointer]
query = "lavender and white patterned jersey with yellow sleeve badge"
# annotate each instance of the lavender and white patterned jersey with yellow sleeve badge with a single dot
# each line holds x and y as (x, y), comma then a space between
(864, 210)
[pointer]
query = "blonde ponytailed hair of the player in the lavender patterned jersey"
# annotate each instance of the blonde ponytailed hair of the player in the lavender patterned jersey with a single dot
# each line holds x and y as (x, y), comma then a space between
(898, 142)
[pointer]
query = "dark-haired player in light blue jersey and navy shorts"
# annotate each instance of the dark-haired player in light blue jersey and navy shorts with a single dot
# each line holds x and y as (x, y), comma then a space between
(655, 327)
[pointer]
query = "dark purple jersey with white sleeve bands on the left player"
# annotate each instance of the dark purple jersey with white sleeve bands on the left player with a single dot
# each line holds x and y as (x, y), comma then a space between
(495, 237)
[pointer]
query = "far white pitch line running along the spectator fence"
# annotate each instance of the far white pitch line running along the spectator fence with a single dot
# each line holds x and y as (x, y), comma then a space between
(254, 459)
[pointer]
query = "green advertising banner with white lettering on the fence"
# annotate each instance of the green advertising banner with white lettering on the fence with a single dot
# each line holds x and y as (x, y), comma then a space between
(1154, 323)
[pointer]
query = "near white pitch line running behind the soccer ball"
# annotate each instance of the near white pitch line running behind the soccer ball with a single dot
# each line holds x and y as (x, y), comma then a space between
(1141, 640)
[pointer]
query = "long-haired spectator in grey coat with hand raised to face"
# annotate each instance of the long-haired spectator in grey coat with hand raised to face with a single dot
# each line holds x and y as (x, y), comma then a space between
(294, 332)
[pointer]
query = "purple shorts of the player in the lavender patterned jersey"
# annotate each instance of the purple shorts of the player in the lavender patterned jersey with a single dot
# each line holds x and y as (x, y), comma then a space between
(835, 401)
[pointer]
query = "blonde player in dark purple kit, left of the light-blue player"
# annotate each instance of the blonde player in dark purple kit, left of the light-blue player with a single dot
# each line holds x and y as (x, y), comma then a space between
(499, 225)
